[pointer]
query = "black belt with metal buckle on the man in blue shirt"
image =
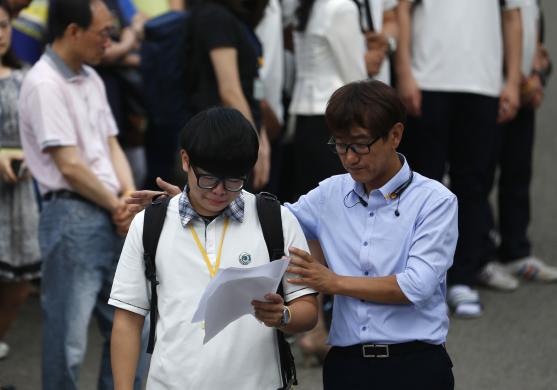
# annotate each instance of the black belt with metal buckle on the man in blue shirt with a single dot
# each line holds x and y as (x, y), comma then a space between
(385, 350)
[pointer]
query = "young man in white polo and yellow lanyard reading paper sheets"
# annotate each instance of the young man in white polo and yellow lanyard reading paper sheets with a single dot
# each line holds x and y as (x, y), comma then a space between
(212, 224)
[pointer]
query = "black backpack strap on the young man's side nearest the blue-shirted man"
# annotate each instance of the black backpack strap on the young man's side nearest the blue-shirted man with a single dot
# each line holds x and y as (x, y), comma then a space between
(268, 211)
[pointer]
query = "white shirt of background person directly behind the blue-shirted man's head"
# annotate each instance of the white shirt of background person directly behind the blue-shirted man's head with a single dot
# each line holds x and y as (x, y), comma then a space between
(329, 54)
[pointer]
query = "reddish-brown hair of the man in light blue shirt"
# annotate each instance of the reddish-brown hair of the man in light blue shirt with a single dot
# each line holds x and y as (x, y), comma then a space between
(369, 104)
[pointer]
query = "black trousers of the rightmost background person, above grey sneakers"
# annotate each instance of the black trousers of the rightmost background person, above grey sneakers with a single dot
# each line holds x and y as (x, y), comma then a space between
(515, 173)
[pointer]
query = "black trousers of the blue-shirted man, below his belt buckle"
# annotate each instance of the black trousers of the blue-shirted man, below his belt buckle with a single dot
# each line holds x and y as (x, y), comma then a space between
(424, 370)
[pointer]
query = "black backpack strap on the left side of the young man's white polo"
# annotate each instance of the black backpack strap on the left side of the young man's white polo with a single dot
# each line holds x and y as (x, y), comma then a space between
(155, 214)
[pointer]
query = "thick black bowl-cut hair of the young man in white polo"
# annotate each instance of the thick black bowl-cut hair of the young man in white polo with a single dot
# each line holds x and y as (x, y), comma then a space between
(221, 141)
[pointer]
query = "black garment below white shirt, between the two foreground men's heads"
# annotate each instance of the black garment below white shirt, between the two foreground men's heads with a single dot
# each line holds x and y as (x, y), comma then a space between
(313, 158)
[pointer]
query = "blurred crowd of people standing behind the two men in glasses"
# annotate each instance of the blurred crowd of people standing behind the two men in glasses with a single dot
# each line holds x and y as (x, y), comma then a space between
(471, 91)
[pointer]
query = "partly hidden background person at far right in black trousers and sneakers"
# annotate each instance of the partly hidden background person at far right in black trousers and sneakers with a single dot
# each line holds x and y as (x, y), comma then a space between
(514, 251)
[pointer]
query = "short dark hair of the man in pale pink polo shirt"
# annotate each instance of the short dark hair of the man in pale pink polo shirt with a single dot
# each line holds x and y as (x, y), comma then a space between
(62, 13)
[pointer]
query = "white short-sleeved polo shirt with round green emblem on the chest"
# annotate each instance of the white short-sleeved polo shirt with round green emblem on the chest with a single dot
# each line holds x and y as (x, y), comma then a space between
(245, 354)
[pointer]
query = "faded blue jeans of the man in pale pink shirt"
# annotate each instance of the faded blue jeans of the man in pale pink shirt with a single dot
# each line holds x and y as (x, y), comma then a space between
(80, 252)
